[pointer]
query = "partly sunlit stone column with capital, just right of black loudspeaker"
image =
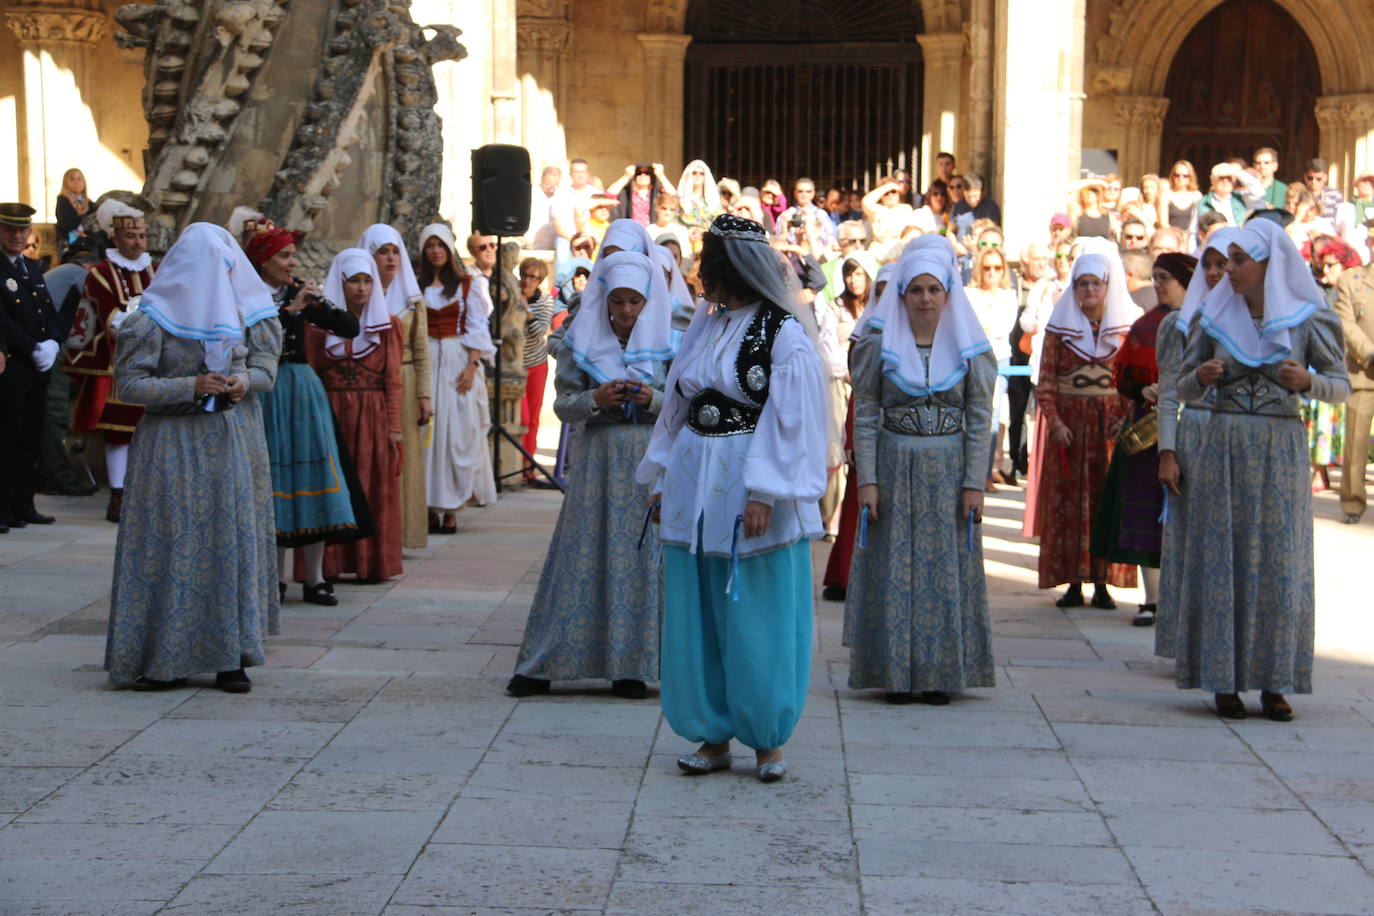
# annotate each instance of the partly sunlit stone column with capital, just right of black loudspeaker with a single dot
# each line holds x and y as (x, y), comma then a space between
(542, 50)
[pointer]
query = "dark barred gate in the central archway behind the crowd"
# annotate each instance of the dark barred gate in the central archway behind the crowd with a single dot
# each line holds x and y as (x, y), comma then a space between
(821, 89)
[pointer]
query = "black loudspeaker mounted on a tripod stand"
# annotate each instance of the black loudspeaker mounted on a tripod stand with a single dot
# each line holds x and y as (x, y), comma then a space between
(501, 207)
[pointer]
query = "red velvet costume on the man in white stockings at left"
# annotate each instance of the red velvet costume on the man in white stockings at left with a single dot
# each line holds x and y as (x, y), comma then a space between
(108, 289)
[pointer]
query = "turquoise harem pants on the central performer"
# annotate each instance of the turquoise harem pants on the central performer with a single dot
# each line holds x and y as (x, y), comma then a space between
(737, 669)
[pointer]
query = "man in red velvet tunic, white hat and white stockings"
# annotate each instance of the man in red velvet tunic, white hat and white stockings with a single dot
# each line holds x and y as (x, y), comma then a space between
(90, 358)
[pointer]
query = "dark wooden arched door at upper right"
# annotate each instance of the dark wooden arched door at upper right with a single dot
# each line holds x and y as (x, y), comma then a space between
(1246, 78)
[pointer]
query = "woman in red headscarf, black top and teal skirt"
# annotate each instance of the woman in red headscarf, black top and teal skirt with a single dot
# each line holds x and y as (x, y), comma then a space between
(315, 492)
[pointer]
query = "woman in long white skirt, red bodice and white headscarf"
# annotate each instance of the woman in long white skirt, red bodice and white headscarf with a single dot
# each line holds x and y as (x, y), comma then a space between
(458, 461)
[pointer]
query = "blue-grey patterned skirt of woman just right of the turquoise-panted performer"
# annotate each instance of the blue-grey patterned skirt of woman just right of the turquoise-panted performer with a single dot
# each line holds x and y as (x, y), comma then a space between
(917, 606)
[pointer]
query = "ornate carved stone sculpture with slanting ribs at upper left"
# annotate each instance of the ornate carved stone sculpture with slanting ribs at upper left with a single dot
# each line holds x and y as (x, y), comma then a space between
(317, 112)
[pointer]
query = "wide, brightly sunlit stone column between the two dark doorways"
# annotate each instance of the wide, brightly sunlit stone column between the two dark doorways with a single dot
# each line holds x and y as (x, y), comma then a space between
(1039, 112)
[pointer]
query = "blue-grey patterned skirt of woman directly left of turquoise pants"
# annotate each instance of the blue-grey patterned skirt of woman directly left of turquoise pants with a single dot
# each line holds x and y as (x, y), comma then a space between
(598, 606)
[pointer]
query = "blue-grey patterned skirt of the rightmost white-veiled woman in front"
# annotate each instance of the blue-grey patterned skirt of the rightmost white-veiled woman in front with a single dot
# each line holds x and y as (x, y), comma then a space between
(1243, 594)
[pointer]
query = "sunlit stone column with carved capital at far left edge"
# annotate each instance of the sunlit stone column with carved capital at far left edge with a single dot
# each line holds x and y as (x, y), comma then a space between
(57, 126)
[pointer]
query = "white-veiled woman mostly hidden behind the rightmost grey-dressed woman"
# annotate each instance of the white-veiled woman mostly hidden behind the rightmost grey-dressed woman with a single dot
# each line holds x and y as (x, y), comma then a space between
(1181, 428)
